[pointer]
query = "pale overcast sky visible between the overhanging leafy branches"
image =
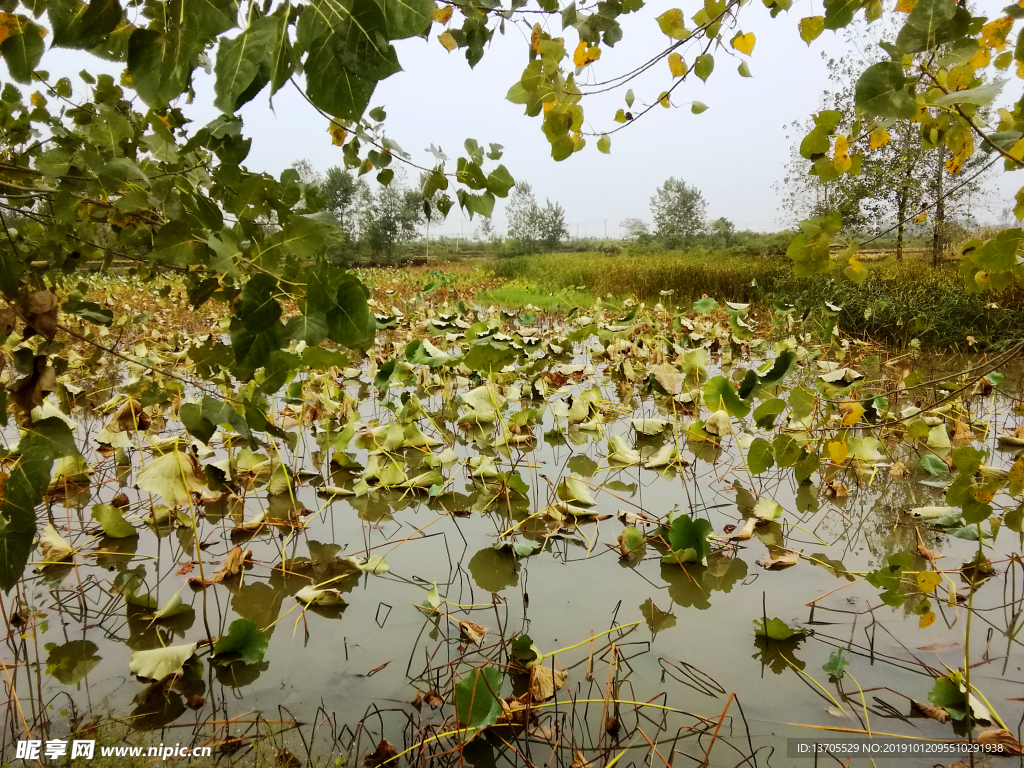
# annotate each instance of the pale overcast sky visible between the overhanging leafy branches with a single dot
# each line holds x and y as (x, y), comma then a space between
(735, 152)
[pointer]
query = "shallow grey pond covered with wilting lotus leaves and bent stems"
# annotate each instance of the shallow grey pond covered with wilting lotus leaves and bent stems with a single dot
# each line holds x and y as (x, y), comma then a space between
(538, 538)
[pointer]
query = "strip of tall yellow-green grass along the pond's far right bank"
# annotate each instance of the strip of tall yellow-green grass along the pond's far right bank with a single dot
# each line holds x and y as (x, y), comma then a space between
(899, 304)
